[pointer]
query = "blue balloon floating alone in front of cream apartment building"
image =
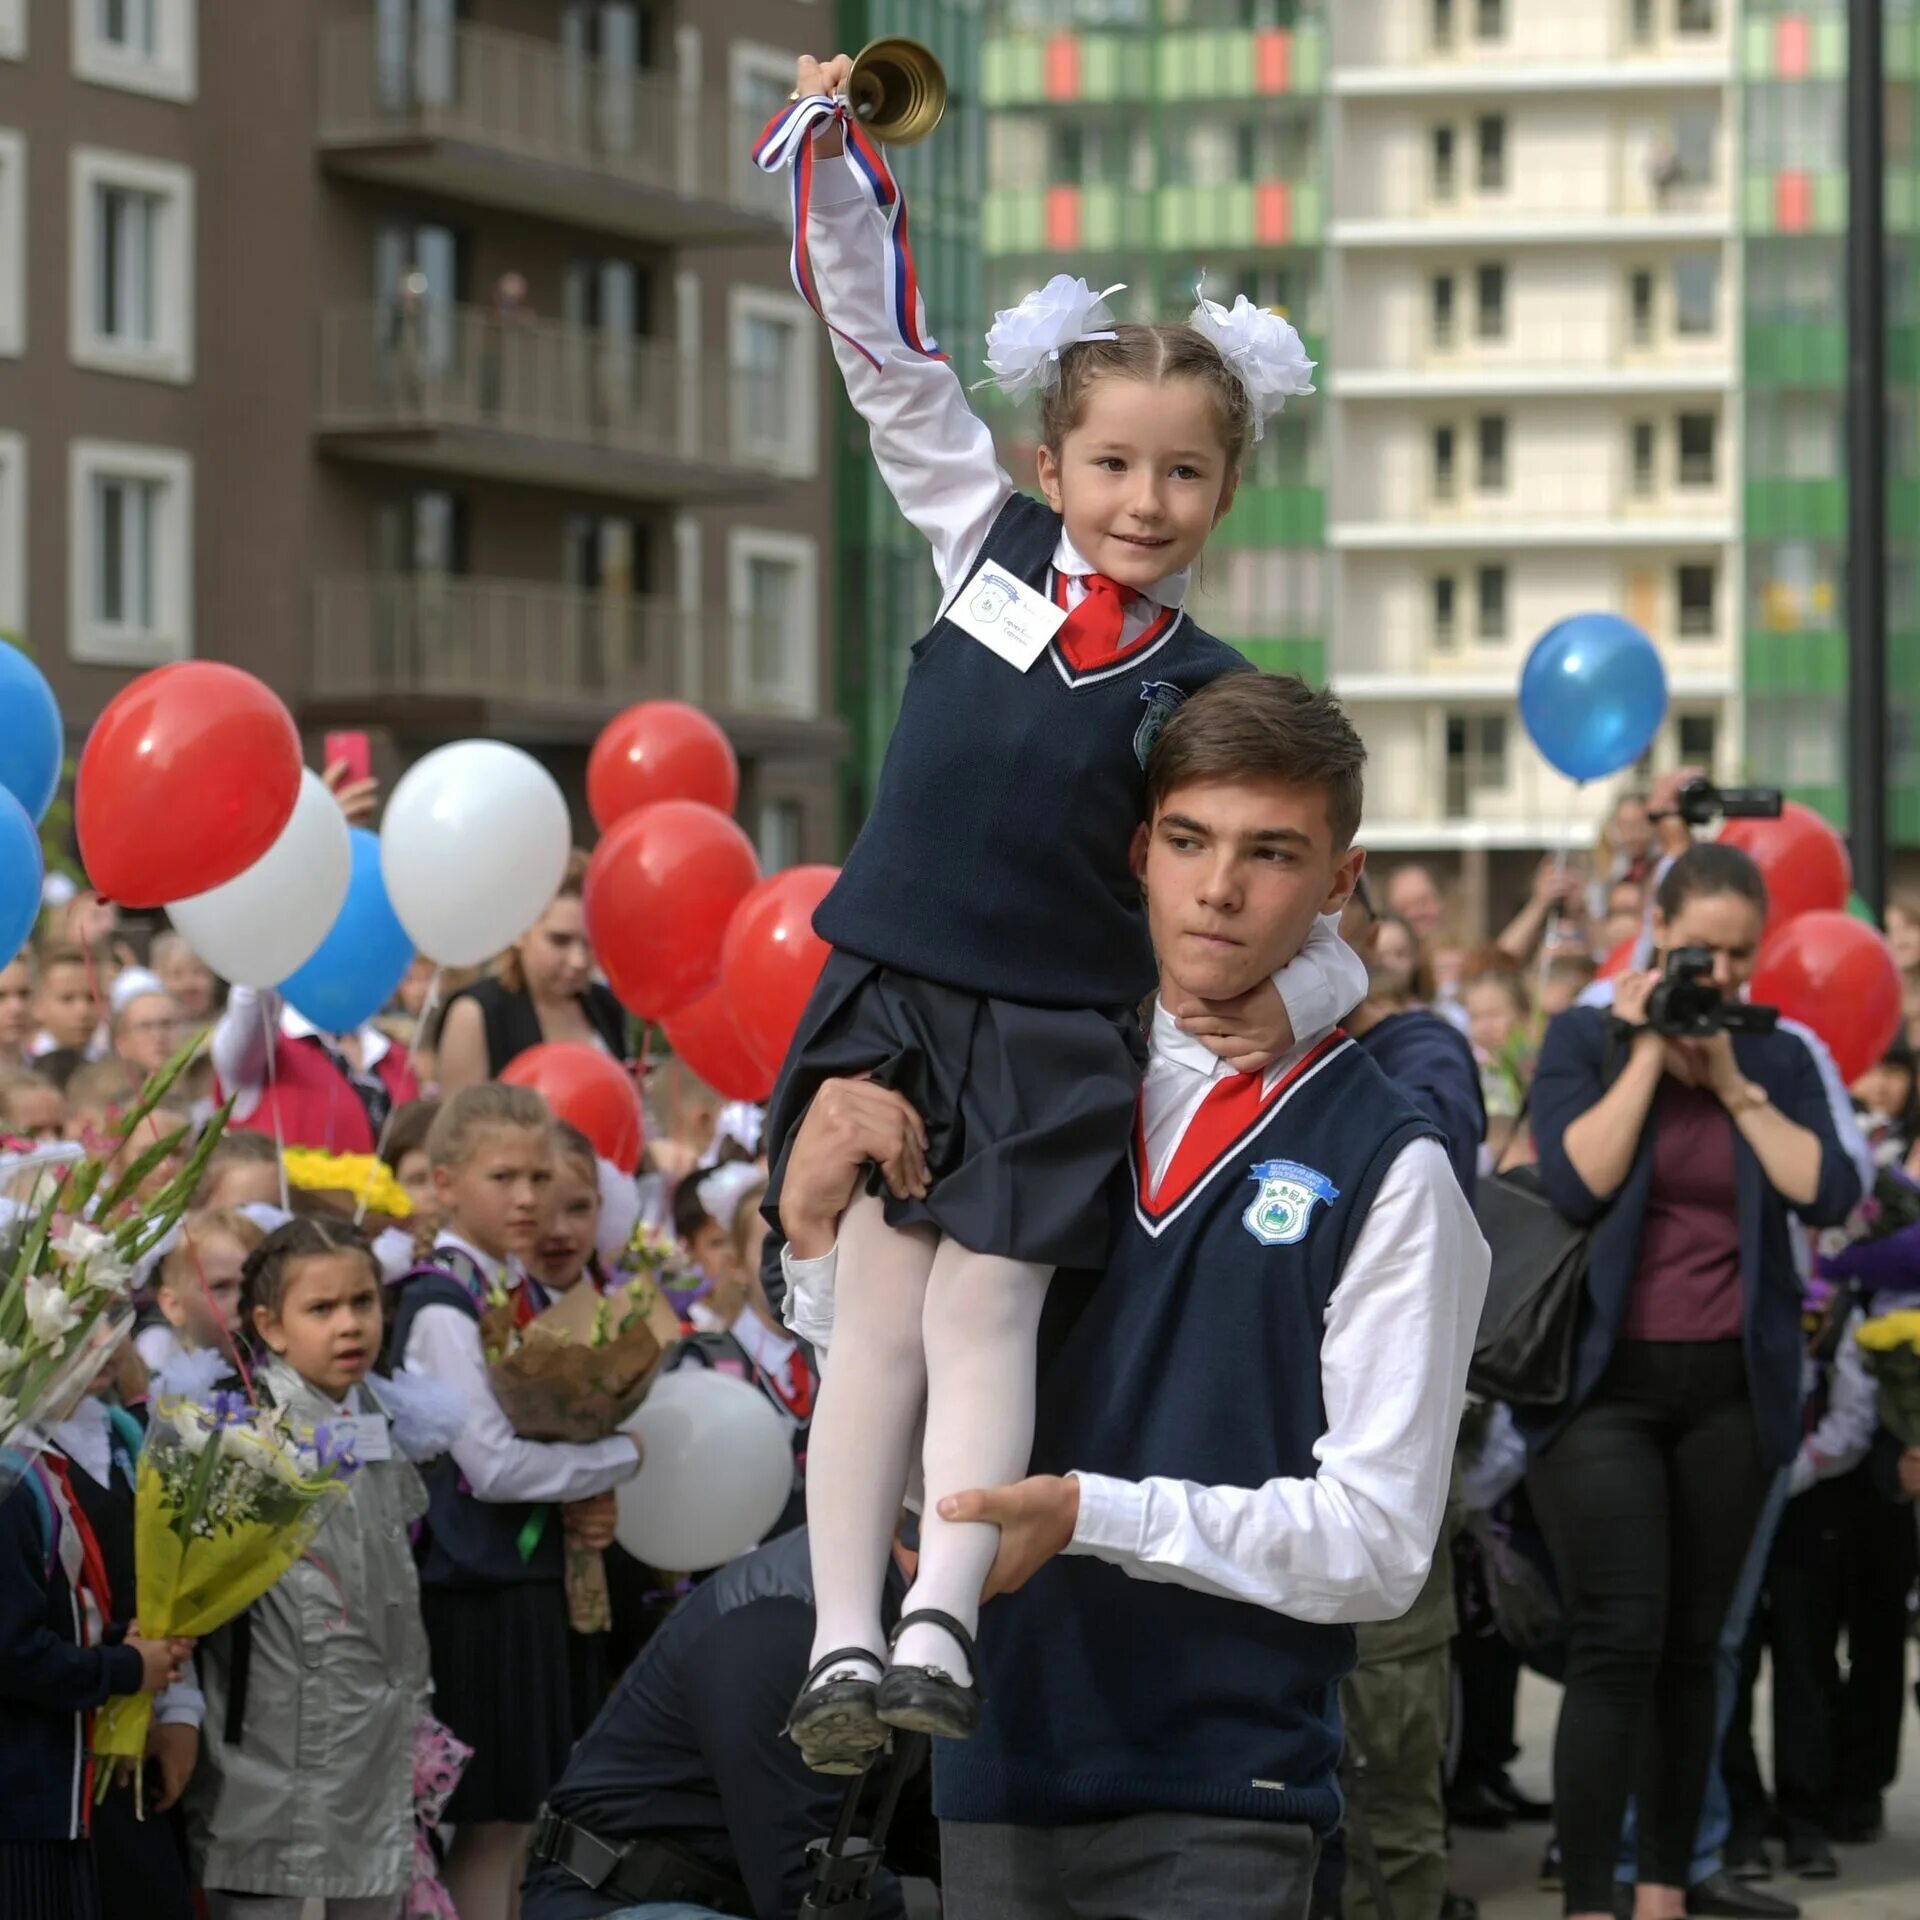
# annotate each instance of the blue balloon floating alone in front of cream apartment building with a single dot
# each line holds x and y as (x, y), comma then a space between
(1593, 694)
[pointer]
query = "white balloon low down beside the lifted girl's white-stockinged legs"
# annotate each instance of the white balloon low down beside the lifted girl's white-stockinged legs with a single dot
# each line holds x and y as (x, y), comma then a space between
(717, 1476)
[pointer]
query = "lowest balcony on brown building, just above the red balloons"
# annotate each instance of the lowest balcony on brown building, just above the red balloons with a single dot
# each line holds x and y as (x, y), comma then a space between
(531, 661)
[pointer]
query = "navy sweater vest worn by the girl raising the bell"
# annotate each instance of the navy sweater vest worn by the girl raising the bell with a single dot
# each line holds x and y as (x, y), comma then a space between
(996, 857)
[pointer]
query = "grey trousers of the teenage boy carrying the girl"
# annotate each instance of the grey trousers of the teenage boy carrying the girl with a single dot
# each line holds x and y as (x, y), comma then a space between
(1147, 1867)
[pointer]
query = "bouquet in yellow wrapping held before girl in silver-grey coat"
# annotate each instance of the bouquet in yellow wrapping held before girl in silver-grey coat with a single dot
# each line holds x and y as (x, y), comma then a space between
(228, 1497)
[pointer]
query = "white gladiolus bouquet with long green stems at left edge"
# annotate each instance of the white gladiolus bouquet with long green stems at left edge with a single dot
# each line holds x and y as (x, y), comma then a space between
(72, 1234)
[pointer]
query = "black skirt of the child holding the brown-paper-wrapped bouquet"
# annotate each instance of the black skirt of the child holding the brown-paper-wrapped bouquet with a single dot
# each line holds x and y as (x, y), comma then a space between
(502, 1685)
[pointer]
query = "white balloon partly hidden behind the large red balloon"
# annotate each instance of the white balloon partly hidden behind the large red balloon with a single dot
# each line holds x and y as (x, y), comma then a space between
(270, 921)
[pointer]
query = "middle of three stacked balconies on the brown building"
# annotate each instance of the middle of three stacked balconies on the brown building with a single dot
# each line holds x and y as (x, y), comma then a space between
(466, 391)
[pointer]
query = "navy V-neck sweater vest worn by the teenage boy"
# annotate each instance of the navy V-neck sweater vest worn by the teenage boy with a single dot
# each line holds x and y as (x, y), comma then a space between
(1197, 1358)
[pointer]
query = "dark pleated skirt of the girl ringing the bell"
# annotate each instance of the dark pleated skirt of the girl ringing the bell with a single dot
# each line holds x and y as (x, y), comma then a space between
(1028, 1109)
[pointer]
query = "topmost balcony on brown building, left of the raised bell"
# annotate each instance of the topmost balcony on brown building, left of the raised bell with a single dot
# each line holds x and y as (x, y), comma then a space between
(510, 122)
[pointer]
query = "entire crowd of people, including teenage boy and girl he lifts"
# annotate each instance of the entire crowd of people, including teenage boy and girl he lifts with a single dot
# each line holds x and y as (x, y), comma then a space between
(1109, 1259)
